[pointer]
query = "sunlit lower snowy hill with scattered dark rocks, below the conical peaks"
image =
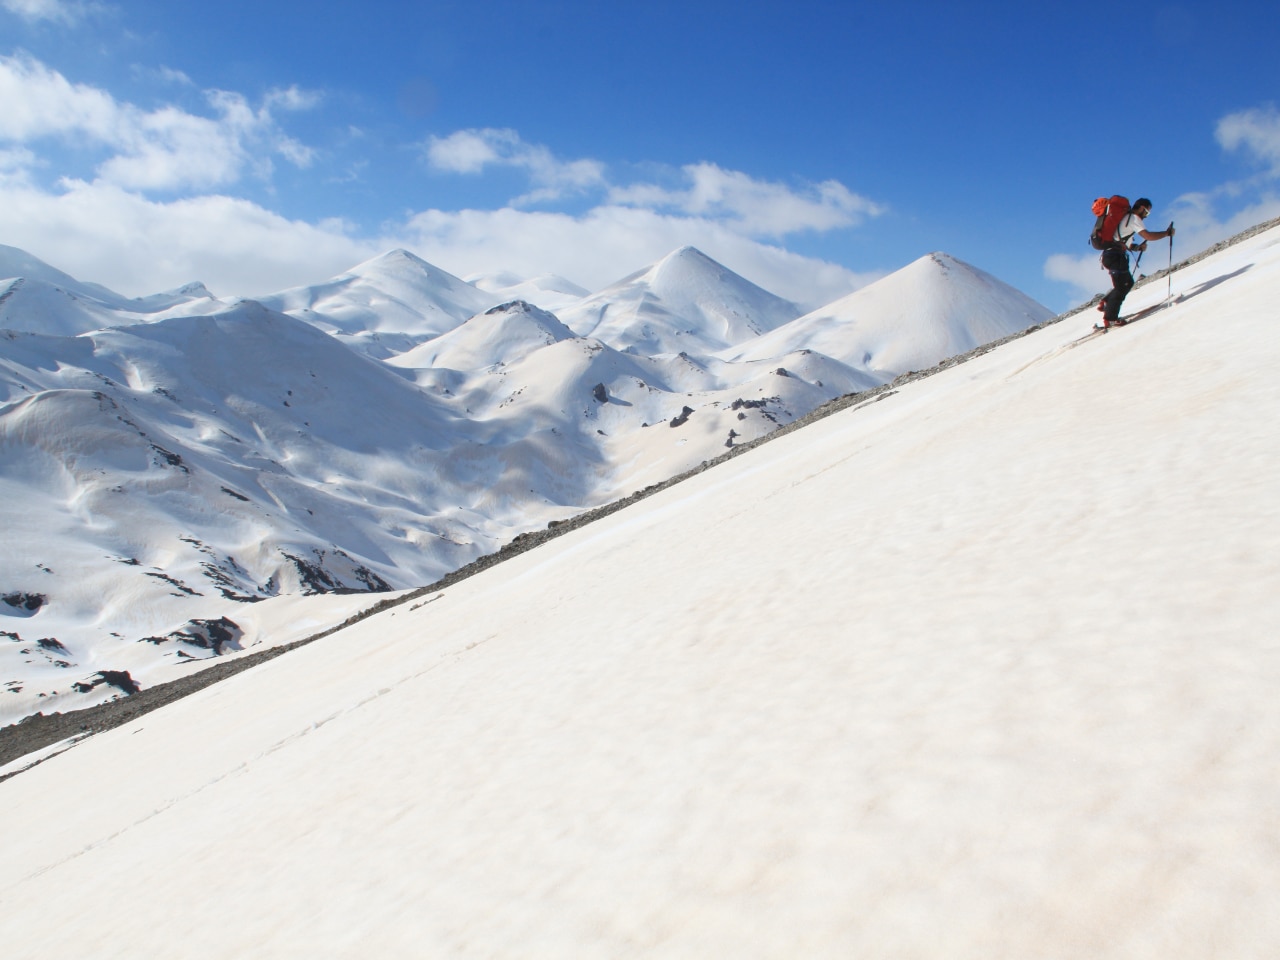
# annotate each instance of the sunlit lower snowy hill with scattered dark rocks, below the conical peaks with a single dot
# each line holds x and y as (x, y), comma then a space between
(524, 374)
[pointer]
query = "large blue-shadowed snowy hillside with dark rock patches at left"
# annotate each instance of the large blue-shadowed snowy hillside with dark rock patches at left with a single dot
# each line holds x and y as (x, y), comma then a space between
(172, 472)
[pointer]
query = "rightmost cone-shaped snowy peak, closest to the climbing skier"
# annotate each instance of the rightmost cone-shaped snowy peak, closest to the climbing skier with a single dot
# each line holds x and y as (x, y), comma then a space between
(909, 321)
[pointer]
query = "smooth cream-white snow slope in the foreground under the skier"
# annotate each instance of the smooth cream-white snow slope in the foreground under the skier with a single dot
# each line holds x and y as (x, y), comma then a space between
(985, 669)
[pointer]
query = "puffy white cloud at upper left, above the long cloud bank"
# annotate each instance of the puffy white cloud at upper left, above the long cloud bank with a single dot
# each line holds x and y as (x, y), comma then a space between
(163, 149)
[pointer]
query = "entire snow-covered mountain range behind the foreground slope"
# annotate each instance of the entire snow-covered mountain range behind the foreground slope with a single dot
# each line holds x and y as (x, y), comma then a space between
(170, 460)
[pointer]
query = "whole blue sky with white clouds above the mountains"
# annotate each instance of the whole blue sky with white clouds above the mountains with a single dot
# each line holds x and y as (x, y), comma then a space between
(810, 147)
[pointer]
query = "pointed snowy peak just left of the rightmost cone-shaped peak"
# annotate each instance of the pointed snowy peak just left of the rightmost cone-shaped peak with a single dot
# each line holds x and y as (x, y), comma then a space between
(685, 303)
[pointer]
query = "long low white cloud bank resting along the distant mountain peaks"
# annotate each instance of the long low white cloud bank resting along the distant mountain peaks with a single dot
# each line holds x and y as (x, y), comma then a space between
(106, 234)
